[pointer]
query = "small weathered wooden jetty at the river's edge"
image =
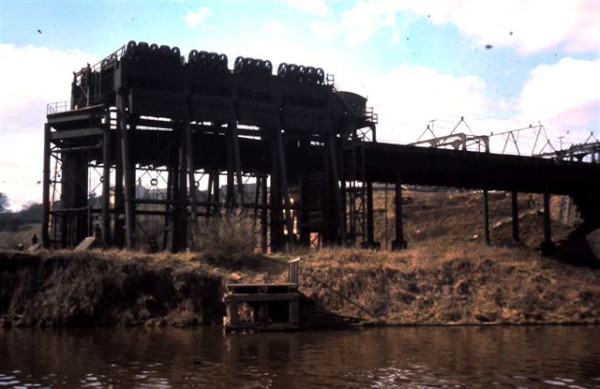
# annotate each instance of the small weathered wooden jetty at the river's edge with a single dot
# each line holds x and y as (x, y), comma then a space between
(264, 307)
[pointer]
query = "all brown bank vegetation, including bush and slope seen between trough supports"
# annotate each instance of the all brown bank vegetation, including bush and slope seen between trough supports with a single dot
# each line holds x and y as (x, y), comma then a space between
(447, 276)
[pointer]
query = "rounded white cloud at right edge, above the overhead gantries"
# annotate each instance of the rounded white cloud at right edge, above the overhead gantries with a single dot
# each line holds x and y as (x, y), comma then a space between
(563, 94)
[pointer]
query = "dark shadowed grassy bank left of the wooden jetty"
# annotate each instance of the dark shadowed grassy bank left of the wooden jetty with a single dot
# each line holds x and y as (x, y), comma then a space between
(106, 288)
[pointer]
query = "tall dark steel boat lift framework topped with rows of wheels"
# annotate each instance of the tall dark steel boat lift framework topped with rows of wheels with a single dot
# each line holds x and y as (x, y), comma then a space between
(151, 142)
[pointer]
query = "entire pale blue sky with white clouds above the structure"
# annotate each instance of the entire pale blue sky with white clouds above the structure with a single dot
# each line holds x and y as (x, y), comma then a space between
(499, 64)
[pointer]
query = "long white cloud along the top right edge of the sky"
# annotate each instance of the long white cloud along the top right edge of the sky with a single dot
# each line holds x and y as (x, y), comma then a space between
(529, 26)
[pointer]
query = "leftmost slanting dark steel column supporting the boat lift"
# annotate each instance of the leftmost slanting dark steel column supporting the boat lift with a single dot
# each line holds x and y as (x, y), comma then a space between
(129, 173)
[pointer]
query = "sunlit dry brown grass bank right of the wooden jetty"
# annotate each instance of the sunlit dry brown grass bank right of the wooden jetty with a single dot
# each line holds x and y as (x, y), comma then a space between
(466, 284)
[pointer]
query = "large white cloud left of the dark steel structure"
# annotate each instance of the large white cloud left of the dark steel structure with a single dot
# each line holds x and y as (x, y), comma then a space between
(30, 77)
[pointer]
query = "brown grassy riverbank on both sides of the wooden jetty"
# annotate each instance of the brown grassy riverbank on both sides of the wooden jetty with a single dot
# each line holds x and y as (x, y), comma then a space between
(462, 283)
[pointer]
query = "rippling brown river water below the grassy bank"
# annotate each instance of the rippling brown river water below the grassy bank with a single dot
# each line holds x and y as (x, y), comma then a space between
(413, 357)
